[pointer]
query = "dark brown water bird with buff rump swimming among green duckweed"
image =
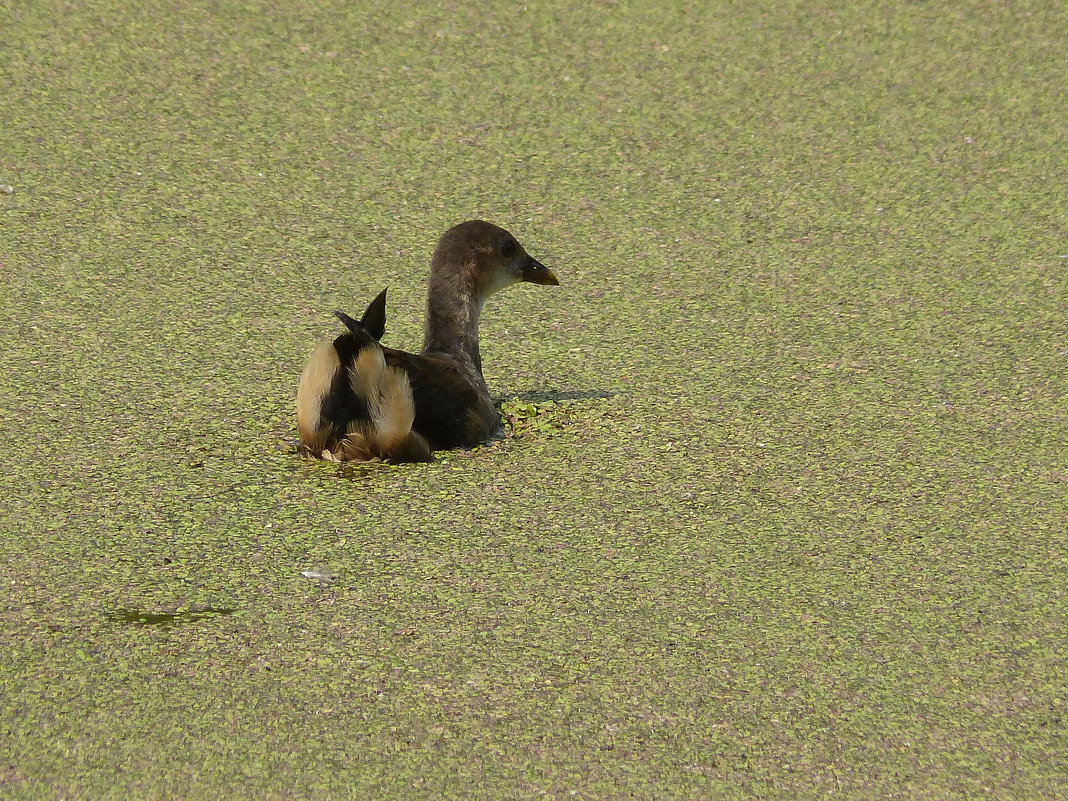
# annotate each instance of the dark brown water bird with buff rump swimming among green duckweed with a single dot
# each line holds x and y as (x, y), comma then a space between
(359, 401)
